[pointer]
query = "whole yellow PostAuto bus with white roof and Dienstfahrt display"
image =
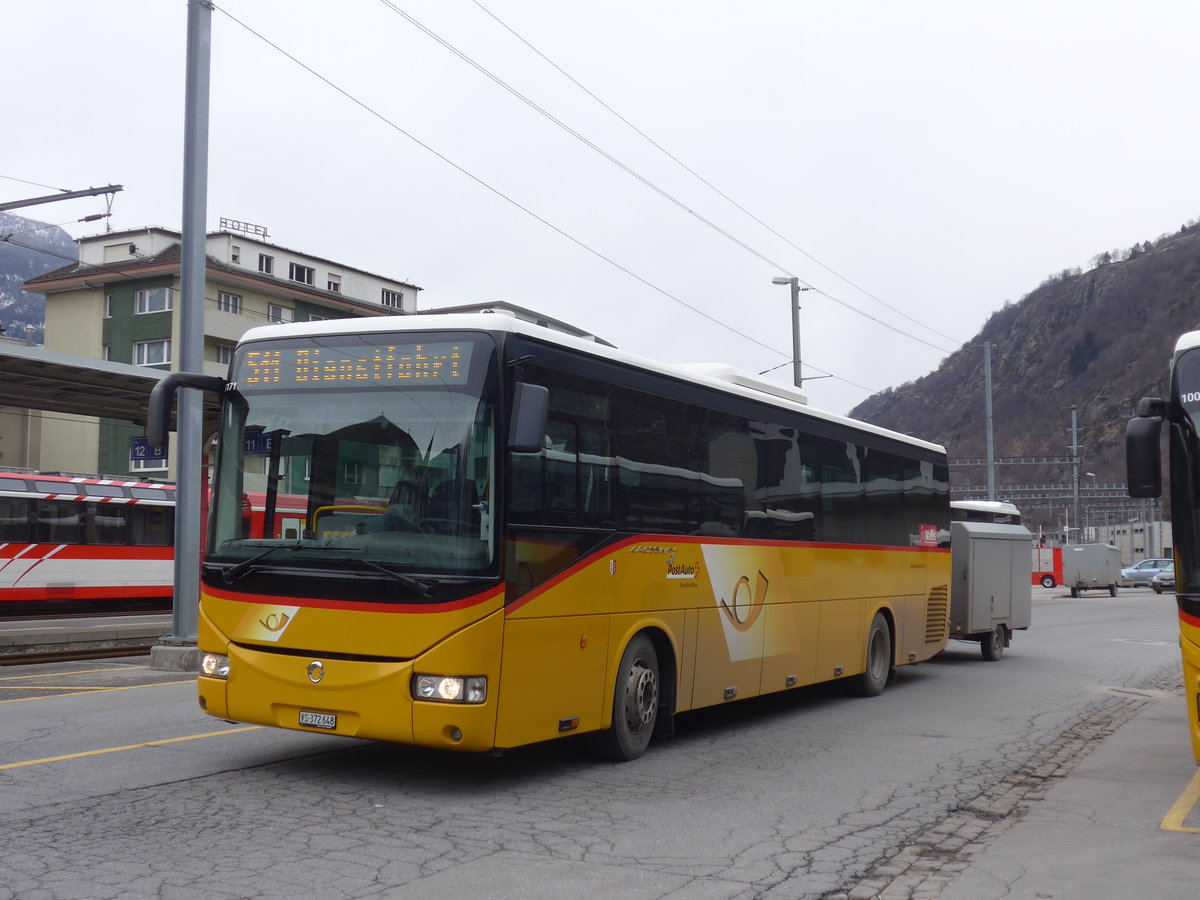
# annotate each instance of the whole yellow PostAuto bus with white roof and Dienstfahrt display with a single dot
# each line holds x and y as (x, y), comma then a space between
(513, 535)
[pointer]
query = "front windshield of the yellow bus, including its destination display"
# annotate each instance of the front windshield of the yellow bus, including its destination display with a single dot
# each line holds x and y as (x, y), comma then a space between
(376, 448)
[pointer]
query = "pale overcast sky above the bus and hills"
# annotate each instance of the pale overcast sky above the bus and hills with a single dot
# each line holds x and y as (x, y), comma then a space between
(919, 165)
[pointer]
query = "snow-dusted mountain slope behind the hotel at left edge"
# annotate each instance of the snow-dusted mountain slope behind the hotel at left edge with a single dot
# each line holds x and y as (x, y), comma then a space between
(45, 248)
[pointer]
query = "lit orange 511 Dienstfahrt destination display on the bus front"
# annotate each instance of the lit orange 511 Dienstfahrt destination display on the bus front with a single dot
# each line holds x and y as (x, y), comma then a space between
(323, 367)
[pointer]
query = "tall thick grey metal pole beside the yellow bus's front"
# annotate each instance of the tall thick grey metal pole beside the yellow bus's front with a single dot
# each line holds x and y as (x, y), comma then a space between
(190, 433)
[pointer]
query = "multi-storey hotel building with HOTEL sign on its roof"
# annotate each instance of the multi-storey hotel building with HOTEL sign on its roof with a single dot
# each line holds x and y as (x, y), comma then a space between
(119, 304)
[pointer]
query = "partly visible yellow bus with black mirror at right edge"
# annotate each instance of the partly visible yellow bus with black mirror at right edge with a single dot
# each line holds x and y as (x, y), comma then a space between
(1181, 412)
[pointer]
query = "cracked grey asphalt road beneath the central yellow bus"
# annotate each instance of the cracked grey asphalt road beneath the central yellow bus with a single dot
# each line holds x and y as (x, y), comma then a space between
(115, 785)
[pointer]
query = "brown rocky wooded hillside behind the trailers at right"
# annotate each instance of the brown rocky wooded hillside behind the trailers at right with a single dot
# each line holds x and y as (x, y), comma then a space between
(1097, 340)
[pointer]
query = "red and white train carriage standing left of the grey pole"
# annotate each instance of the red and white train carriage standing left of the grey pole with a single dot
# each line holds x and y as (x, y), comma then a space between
(85, 542)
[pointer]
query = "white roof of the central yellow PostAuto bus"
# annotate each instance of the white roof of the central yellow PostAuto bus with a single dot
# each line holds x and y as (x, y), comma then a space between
(716, 376)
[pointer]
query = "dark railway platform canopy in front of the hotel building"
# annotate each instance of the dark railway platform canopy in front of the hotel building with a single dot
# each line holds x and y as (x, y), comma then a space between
(38, 379)
